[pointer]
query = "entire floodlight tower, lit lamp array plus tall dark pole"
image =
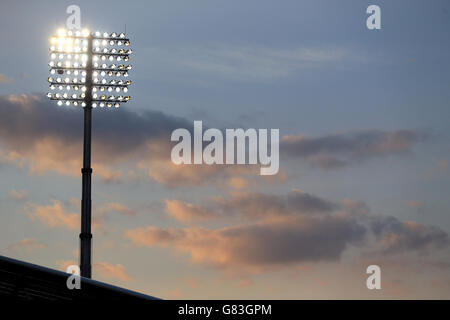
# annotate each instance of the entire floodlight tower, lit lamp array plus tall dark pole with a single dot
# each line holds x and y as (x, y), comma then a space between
(83, 72)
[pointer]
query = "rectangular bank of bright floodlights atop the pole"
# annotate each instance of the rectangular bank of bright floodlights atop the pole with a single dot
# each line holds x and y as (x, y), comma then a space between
(89, 68)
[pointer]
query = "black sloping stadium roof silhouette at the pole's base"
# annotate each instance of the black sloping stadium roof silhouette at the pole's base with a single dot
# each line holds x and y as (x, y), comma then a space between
(25, 281)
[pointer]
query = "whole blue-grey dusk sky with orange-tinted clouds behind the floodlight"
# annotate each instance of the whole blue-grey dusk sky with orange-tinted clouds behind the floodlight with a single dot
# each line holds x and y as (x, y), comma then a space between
(364, 149)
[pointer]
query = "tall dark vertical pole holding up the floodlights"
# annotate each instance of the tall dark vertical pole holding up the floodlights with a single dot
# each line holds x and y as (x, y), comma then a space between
(86, 203)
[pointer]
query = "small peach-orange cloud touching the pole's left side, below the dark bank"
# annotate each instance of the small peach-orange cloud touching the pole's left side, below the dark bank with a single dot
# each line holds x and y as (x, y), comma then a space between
(54, 215)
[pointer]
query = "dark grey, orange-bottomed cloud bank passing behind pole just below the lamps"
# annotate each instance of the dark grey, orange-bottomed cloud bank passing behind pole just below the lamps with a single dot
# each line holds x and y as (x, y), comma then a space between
(120, 138)
